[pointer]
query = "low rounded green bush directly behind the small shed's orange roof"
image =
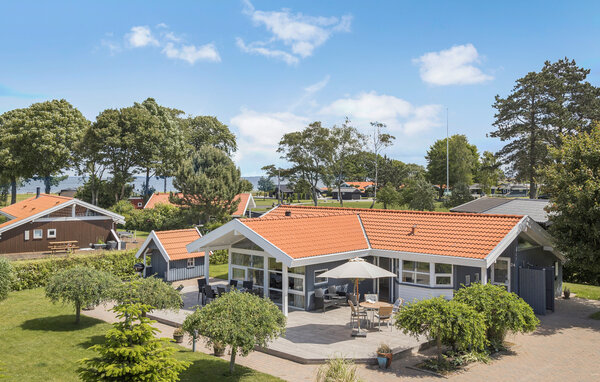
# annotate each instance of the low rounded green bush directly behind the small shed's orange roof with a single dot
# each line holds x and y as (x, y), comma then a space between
(162, 217)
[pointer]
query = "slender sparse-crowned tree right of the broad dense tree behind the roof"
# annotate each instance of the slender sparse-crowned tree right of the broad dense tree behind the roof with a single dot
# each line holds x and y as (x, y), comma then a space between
(345, 142)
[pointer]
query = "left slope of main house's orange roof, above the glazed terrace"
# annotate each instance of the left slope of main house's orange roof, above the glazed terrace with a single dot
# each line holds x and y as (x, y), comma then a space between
(305, 236)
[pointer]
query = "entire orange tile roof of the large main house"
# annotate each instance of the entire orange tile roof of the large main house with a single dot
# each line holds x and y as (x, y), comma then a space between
(436, 233)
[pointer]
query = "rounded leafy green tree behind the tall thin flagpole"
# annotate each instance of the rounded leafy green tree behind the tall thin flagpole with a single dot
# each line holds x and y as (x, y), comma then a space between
(463, 158)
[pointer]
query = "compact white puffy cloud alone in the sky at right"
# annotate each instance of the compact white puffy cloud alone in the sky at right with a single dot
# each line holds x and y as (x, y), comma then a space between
(454, 66)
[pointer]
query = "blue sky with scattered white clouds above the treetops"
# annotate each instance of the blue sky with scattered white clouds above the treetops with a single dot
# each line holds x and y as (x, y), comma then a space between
(266, 68)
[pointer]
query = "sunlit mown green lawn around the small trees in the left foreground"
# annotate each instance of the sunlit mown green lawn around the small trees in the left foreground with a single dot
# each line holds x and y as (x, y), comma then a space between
(40, 342)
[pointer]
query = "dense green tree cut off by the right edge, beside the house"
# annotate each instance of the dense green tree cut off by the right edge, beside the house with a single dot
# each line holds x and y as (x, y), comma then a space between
(573, 181)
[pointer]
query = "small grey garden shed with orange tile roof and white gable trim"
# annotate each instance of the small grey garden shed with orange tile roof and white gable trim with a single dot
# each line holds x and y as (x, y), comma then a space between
(166, 257)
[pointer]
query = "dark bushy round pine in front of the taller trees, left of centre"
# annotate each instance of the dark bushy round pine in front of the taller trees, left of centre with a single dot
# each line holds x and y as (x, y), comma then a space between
(209, 182)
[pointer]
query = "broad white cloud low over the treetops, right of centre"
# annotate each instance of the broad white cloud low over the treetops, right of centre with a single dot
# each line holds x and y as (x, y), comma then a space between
(399, 115)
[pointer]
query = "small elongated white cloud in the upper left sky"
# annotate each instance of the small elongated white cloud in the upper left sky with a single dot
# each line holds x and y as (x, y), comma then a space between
(172, 45)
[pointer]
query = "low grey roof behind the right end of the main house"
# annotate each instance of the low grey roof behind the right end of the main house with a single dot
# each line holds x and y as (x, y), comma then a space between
(534, 208)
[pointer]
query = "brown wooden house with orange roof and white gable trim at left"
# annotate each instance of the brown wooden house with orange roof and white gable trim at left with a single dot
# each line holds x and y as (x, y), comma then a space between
(35, 222)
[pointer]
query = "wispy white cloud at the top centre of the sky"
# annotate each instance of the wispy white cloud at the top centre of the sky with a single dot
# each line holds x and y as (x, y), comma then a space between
(295, 31)
